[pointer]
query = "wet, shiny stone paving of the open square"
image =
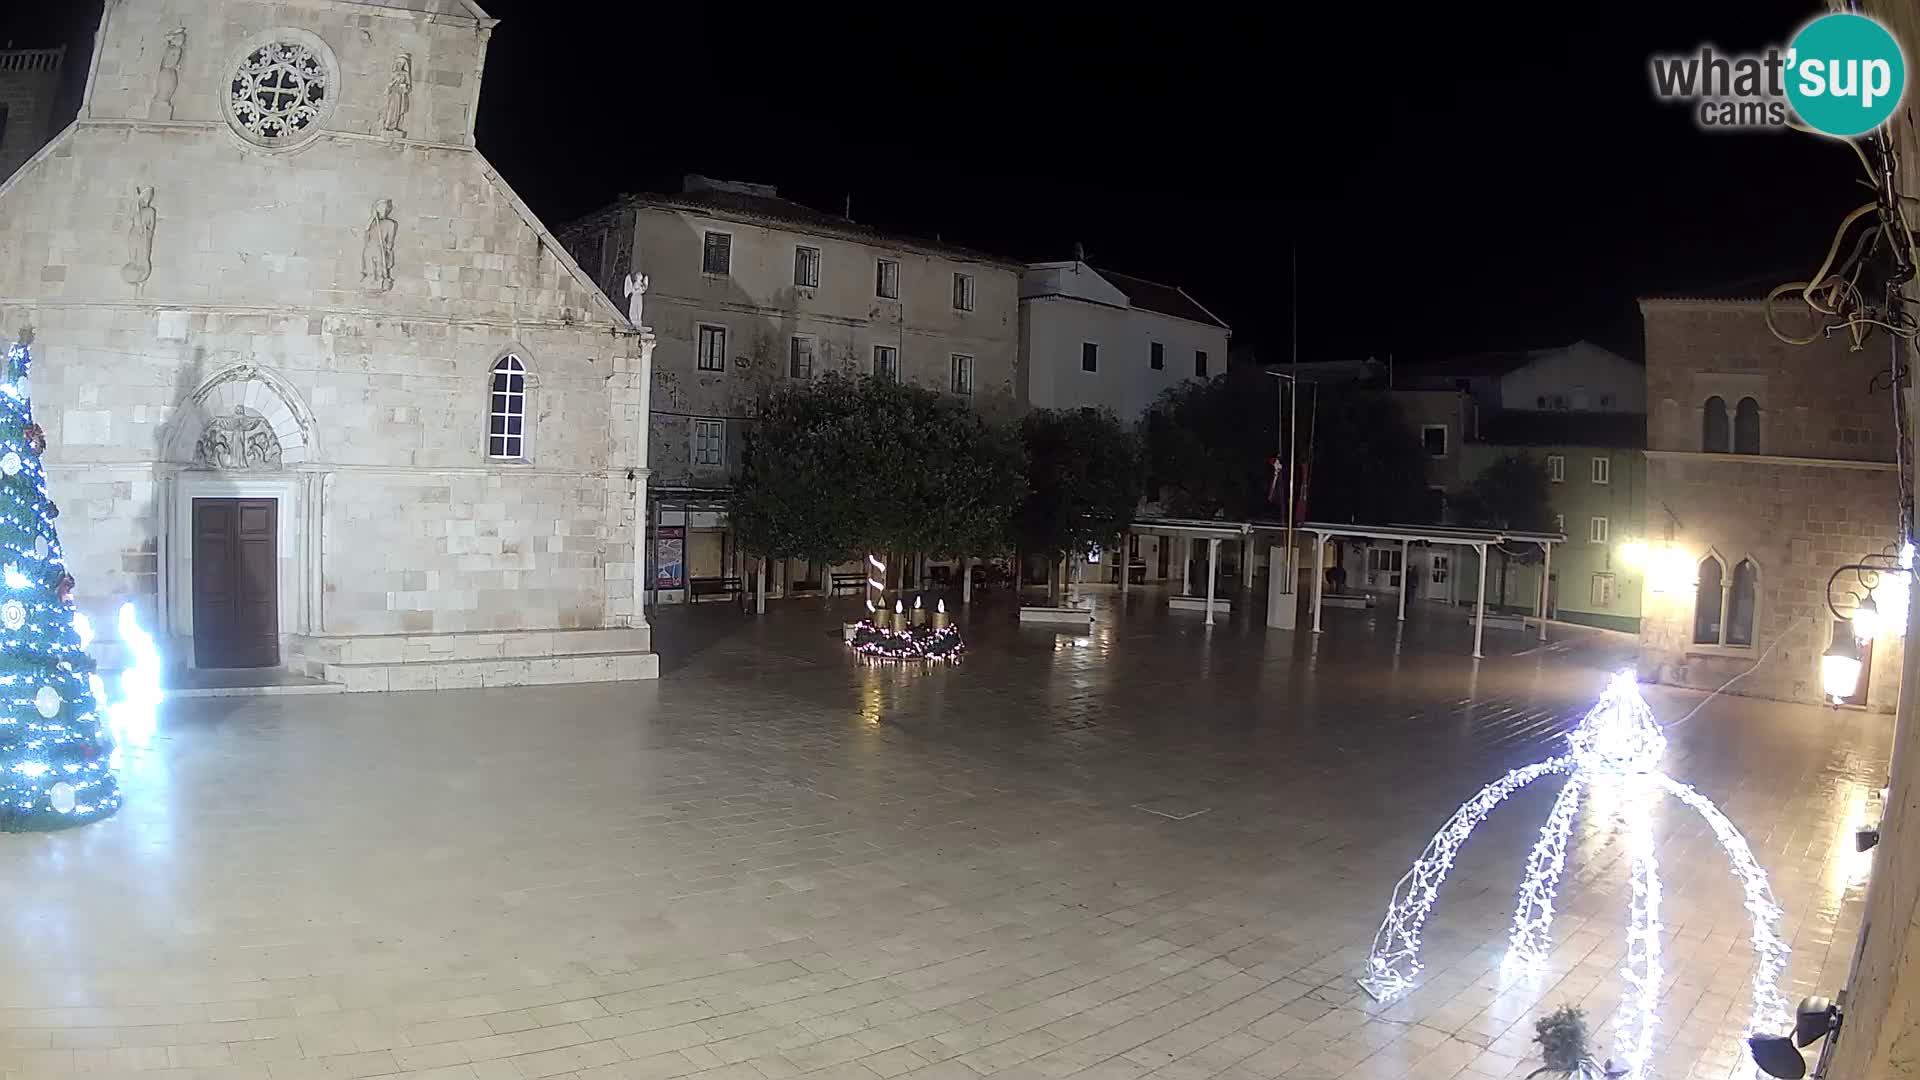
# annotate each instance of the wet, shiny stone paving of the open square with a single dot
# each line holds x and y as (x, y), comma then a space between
(782, 862)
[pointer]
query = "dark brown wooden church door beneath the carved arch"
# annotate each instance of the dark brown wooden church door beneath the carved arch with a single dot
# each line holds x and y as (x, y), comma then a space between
(237, 591)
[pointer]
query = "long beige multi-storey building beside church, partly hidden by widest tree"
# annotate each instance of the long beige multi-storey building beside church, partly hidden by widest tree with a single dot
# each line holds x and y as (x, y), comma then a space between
(748, 289)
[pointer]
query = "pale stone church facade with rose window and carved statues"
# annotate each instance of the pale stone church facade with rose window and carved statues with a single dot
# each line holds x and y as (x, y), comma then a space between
(320, 391)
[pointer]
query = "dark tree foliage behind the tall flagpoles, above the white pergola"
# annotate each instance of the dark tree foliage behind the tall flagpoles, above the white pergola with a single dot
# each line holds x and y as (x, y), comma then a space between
(1211, 449)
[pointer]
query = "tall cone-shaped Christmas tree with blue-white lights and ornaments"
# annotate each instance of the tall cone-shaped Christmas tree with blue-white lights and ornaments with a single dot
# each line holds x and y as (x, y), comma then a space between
(55, 743)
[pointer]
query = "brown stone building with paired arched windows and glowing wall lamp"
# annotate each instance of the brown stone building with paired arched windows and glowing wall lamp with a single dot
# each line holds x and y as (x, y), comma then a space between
(1769, 466)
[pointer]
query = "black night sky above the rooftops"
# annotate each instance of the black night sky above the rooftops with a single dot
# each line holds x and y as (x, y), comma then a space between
(1456, 178)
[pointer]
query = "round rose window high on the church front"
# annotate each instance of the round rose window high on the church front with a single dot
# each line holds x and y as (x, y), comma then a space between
(281, 89)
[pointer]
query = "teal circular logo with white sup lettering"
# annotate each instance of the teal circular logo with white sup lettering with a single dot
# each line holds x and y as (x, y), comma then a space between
(1846, 74)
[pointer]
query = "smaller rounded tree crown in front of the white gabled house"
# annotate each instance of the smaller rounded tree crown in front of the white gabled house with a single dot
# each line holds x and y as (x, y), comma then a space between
(1084, 481)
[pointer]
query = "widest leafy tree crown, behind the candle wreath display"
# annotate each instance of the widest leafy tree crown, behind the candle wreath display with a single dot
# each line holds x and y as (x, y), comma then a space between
(842, 466)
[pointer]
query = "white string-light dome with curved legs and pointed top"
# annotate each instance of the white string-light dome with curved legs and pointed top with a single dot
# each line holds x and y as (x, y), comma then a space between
(1616, 750)
